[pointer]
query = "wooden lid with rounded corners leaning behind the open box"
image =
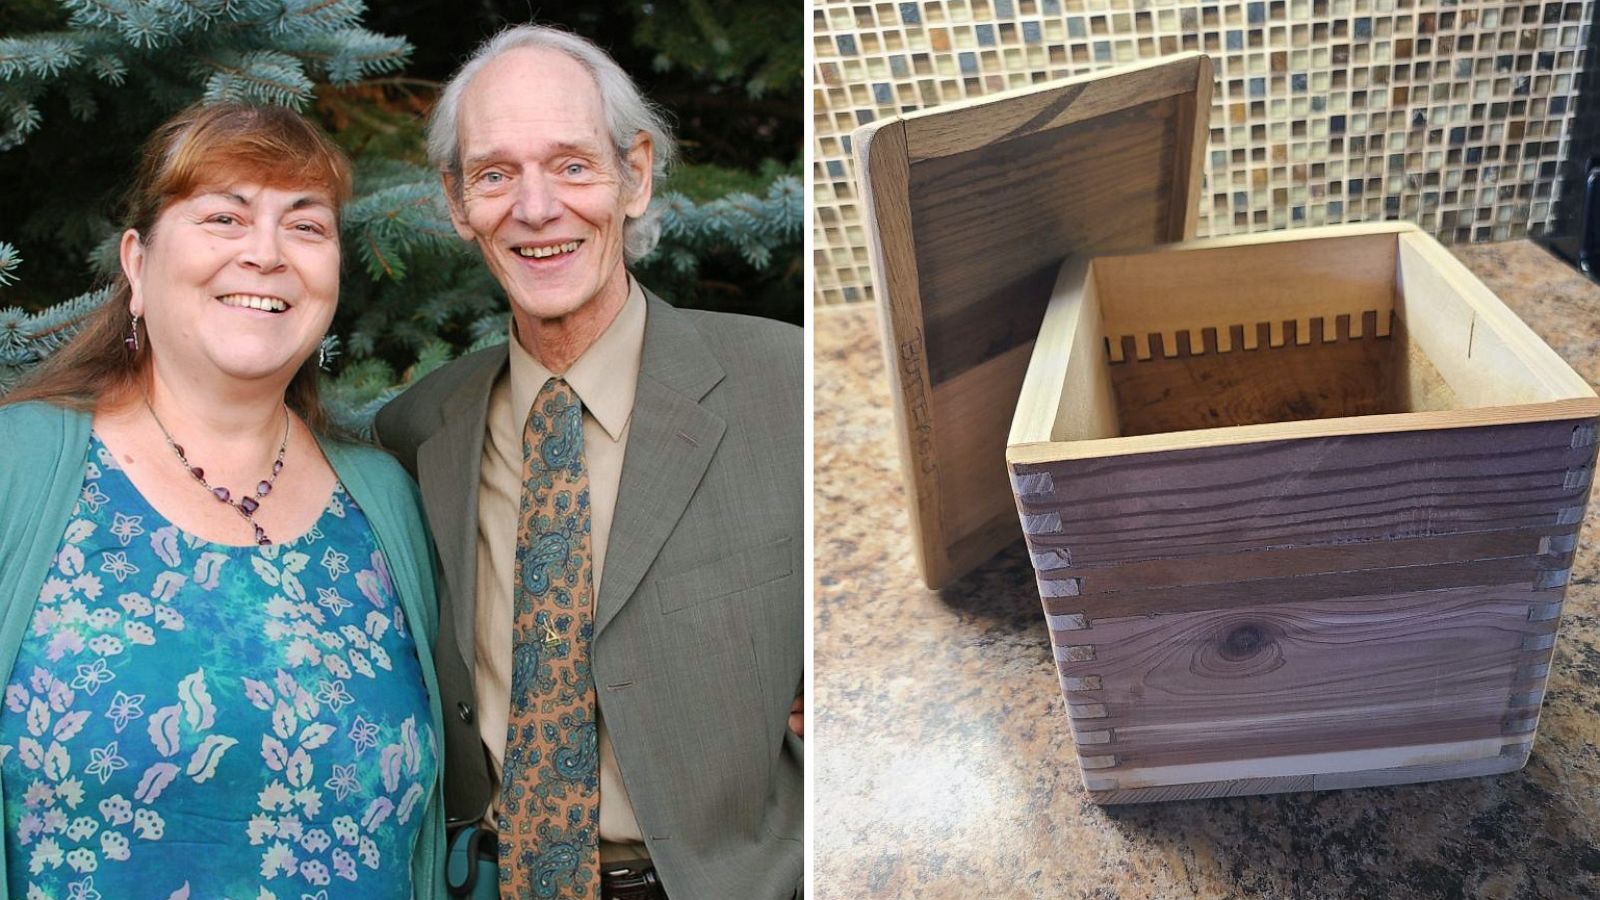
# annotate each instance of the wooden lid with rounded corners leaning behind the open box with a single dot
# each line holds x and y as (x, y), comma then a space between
(970, 211)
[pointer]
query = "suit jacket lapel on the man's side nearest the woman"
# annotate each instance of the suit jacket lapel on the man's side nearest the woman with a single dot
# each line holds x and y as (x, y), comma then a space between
(447, 467)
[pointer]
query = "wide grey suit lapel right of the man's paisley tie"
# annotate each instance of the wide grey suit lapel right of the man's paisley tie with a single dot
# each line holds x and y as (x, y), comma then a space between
(670, 446)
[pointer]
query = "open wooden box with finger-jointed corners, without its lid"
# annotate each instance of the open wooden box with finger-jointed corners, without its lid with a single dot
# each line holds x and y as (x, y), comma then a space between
(1284, 556)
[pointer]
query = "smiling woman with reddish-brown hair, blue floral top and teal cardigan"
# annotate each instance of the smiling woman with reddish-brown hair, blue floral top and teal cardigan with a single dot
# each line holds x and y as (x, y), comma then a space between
(193, 565)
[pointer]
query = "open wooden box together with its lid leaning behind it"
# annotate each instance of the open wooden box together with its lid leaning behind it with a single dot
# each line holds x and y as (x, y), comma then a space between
(1302, 505)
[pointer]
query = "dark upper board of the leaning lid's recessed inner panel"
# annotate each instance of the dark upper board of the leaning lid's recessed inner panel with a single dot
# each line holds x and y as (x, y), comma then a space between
(986, 278)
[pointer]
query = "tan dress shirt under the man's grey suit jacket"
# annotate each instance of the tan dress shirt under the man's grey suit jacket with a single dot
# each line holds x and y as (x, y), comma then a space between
(604, 379)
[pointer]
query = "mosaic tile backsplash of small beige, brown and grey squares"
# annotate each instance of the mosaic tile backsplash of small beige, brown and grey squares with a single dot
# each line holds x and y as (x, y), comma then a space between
(1454, 116)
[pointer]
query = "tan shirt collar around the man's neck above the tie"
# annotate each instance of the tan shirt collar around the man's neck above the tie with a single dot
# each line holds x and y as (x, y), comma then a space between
(604, 377)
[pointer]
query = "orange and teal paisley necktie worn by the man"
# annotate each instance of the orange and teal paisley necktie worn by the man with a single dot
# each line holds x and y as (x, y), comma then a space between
(550, 813)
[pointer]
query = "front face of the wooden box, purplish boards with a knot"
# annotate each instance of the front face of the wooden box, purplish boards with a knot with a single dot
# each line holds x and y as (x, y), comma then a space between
(1362, 611)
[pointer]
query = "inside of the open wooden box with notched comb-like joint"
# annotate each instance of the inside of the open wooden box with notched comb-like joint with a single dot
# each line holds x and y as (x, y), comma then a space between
(1270, 331)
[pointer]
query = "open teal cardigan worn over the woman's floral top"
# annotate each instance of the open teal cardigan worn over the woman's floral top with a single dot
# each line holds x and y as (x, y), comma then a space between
(42, 456)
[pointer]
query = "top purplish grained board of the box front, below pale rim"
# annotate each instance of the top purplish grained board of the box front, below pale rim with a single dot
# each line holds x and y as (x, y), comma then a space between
(1215, 500)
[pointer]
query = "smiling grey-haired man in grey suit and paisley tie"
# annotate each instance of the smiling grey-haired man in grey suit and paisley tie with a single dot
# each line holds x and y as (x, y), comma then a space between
(617, 496)
